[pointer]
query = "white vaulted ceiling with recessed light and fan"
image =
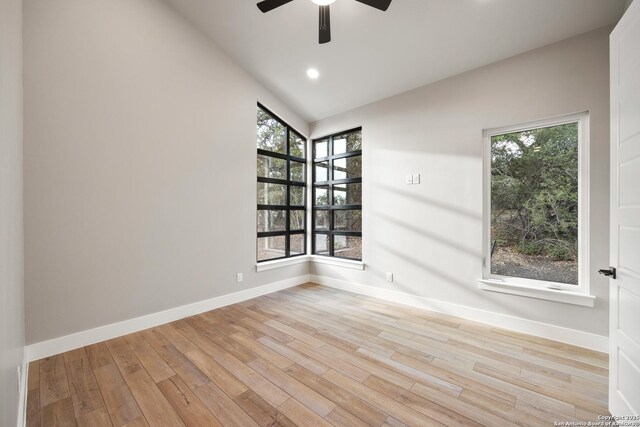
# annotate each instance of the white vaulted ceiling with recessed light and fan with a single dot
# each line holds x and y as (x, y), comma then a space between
(376, 54)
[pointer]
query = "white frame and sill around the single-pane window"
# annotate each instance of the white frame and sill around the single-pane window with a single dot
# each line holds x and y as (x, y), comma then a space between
(522, 286)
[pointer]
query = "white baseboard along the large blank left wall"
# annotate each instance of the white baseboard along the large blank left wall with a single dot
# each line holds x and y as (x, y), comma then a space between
(80, 339)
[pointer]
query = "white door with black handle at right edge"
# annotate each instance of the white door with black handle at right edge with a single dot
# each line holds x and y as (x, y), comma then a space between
(624, 336)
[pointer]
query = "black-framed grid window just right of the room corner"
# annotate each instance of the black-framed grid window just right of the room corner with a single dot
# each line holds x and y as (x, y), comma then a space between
(337, 195)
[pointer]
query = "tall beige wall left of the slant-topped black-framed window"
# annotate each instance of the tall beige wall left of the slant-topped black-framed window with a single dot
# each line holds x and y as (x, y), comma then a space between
(139, 165)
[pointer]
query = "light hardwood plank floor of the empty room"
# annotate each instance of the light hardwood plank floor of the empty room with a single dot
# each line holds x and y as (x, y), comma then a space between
(315, 356)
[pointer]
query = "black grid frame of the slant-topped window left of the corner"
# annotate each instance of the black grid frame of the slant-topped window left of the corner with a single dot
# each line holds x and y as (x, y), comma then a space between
(288, 183)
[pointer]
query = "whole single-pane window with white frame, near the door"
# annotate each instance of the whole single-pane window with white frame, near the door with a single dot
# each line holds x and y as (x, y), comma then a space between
(536, 204)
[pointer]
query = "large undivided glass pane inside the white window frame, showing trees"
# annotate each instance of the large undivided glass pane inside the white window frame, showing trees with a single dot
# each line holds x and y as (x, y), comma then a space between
(534, 204)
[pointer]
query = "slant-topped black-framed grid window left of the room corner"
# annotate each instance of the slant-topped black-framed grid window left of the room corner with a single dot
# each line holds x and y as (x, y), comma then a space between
(281, 172)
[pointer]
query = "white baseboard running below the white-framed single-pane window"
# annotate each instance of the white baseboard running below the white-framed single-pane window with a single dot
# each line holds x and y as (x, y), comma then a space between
(544, 330)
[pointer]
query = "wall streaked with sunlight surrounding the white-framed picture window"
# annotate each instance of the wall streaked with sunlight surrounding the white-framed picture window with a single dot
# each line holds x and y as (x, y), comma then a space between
(430, 235)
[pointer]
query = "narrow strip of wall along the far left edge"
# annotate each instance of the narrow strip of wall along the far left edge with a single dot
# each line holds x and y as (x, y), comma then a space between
(11, 265)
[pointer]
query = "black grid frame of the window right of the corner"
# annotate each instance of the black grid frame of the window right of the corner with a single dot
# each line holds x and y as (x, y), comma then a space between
(330, 182)
